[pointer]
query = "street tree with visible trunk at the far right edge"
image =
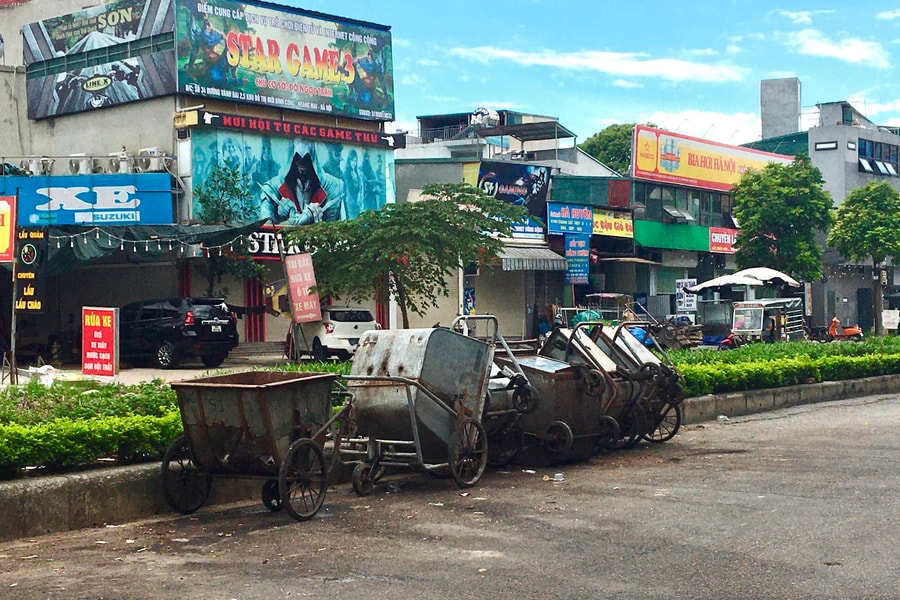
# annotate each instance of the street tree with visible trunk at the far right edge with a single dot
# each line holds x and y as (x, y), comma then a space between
(866, 229)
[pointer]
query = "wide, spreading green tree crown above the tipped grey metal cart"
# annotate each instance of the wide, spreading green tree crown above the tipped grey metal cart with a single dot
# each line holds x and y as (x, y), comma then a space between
(408, 250)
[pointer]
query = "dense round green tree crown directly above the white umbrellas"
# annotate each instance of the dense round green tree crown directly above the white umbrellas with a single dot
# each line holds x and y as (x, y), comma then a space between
(780, 209)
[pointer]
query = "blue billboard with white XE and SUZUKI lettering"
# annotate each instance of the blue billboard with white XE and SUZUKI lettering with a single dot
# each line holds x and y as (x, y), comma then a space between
(129, 199)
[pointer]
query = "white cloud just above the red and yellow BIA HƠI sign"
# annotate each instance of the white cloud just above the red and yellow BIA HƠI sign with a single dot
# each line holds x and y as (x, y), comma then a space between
(735, 129)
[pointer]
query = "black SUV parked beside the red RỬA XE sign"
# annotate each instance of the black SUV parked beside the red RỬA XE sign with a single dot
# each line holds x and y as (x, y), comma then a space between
(169, 330)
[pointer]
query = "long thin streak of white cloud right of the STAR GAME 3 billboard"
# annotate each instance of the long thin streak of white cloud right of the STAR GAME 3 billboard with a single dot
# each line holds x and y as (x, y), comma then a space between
(613, 63)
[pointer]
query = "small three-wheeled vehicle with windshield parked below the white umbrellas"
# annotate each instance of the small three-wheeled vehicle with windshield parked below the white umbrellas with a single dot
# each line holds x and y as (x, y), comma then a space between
(769, 319)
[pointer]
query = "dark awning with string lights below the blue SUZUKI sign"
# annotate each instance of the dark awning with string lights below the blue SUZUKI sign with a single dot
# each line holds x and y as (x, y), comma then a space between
(70, 246)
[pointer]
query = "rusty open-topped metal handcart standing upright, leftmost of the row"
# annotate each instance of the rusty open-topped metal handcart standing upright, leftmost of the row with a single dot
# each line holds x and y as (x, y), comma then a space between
(266, 425)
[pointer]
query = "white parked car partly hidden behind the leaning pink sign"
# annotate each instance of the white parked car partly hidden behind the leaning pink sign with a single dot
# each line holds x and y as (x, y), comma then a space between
(337, 334)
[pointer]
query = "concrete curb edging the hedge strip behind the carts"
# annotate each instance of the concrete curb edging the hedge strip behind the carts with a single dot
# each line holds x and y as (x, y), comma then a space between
(42, 505)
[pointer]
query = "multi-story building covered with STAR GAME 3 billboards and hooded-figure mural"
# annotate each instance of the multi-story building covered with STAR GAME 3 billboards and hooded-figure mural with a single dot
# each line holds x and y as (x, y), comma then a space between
(114, 114)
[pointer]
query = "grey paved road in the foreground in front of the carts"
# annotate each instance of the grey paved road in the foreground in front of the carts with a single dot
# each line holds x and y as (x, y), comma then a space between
(802, 503)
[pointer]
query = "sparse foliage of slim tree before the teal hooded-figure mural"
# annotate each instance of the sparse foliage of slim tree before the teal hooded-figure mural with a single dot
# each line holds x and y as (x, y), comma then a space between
(225, 199)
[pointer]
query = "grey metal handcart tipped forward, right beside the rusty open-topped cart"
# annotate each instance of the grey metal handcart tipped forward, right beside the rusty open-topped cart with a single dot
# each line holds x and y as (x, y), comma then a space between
(418, 397)
